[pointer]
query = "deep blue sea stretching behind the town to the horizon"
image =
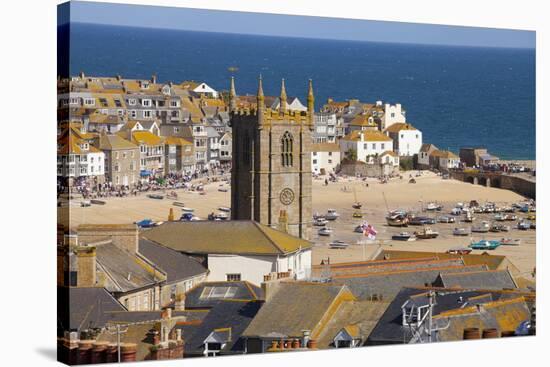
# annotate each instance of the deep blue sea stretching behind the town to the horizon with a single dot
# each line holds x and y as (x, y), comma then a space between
(457, 96)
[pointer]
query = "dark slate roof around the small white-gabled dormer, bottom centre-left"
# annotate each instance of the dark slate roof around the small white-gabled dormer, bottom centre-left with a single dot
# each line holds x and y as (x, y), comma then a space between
(228, 317)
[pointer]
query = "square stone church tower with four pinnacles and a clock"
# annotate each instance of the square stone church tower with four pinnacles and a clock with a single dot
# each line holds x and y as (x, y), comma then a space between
(271, 172)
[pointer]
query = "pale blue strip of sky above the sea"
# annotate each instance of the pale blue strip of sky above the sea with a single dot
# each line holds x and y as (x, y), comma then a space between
(296, 26)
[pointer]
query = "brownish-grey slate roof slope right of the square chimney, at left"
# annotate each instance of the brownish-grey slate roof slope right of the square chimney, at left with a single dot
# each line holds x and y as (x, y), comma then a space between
(125, 271)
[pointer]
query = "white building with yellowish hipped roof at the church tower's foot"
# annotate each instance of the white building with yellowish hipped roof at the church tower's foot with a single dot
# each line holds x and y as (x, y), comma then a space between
(236, 250)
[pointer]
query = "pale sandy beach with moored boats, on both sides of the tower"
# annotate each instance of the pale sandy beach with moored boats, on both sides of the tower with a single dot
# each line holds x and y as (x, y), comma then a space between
(340, 196)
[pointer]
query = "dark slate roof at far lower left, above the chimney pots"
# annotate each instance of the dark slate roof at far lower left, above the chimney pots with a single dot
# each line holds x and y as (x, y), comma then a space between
(84, 307)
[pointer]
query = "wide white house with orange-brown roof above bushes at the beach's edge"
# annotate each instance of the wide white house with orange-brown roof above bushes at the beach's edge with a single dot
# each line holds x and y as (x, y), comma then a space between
(368, 144)
